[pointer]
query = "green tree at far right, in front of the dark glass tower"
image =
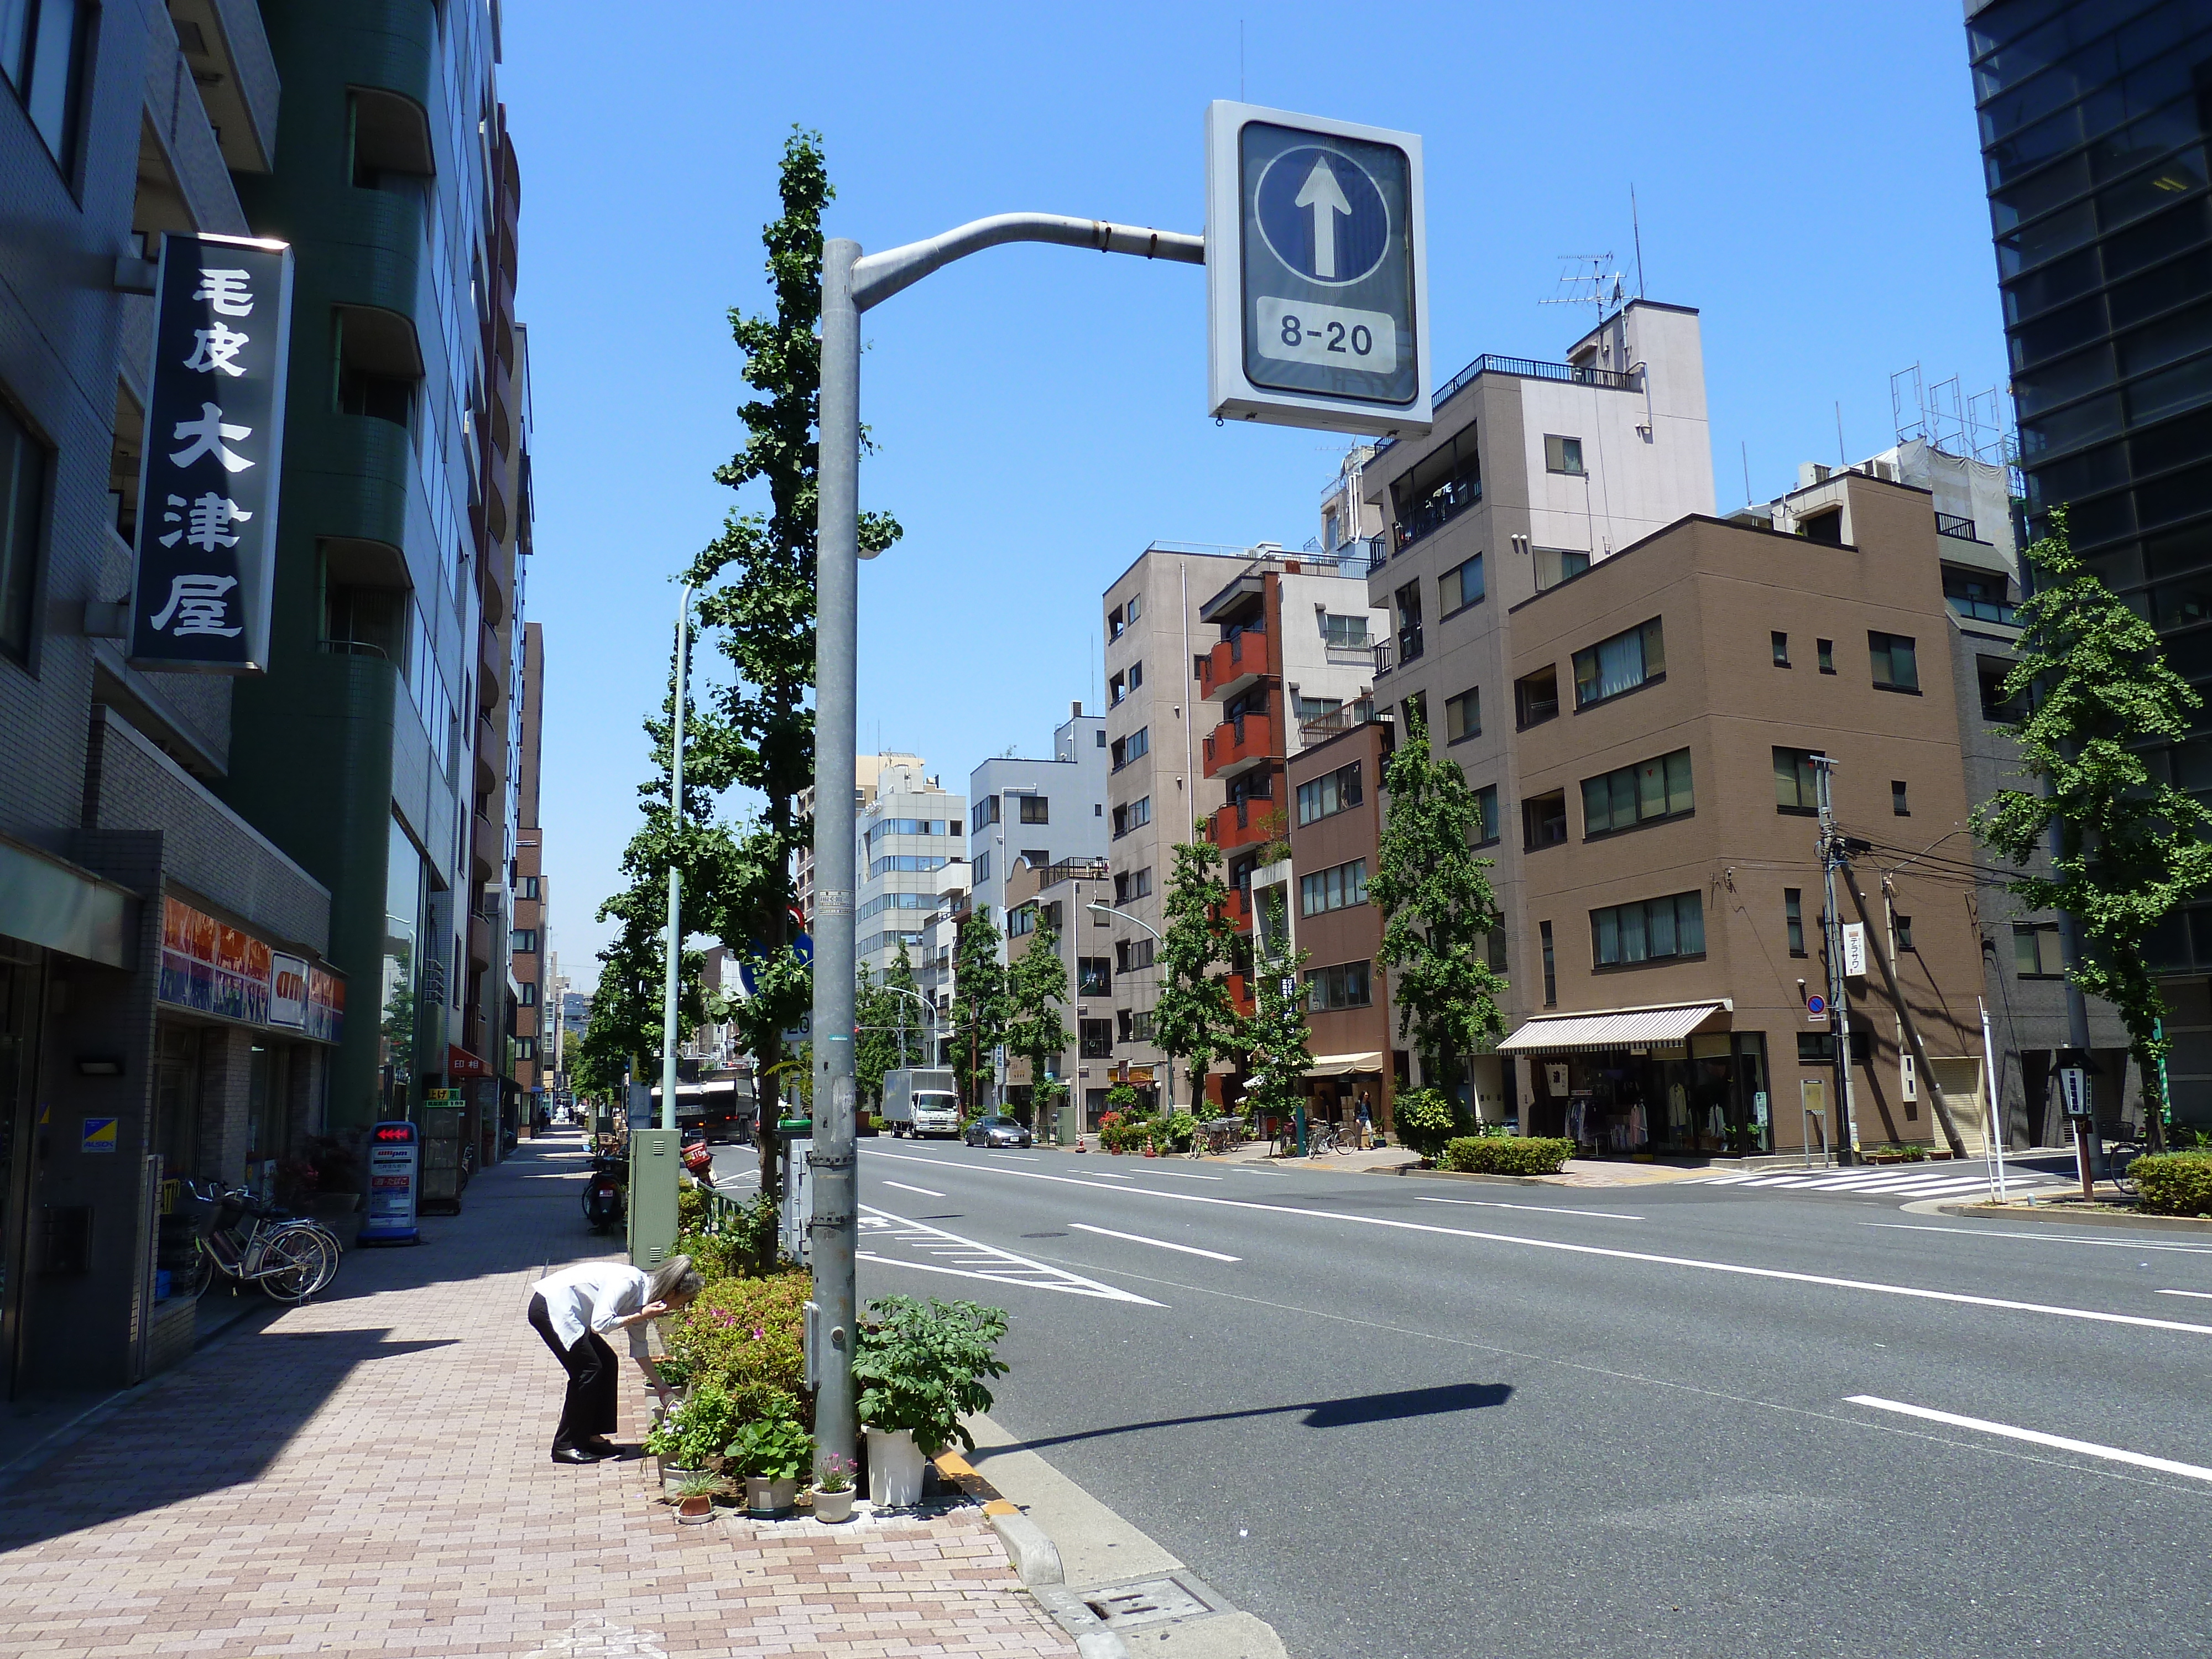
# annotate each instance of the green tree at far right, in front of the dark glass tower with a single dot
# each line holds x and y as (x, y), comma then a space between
(2127, 846)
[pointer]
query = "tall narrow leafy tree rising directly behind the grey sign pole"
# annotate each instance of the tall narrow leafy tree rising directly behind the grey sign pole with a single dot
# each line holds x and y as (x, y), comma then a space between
(758, 592)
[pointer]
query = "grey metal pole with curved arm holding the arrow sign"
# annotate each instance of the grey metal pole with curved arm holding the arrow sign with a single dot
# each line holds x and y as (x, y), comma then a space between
(853, 286)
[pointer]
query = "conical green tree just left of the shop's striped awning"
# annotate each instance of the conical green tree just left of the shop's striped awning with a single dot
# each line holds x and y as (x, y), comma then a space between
(1439, 910)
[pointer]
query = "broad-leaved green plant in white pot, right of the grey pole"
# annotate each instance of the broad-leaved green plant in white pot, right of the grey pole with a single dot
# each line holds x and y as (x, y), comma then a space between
(919, 1370)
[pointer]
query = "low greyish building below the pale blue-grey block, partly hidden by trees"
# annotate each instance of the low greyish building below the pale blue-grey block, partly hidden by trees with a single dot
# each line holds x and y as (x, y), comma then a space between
(1061, 897)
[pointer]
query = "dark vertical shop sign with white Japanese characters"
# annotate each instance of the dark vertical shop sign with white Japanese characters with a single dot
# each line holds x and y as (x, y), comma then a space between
(213, 450)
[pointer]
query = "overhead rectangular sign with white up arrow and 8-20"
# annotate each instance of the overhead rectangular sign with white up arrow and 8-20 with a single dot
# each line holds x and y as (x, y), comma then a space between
(1315, 273)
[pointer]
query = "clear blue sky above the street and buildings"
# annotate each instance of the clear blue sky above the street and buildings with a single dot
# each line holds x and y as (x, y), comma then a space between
(1808, 178)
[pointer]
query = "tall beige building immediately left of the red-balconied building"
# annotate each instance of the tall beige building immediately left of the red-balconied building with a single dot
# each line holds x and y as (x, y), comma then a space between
(1156, 791)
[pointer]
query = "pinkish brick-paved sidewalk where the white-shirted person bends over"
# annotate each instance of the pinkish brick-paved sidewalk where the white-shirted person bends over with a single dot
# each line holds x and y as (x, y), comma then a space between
(371, 1474)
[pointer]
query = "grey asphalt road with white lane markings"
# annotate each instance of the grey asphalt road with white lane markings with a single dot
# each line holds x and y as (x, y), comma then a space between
(1404, 1417)
